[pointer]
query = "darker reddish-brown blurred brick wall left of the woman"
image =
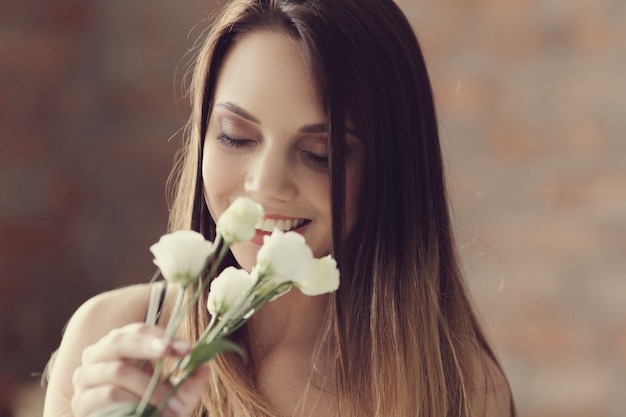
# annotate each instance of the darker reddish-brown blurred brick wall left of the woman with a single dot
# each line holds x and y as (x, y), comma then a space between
(88, 101)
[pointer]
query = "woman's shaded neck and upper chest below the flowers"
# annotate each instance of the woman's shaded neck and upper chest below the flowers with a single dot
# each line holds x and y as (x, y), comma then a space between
(287, 369)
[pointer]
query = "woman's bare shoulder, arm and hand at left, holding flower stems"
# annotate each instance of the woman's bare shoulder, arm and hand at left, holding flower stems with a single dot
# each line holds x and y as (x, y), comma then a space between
(98, 361)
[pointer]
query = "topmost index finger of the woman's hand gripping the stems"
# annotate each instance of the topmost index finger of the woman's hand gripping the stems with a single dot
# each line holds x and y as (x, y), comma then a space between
(137, 341)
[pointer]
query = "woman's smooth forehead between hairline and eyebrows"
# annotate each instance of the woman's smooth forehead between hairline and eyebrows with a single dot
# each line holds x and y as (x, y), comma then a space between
(267, 74)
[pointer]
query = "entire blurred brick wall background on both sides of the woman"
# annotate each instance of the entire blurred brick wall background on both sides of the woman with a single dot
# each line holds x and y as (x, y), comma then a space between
(531, 96)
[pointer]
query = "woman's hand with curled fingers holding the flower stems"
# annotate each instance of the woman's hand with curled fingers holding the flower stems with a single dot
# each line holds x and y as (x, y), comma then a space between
(115, 370)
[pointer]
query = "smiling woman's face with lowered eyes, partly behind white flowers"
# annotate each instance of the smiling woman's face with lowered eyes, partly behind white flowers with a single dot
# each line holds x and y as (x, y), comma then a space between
(266, 140)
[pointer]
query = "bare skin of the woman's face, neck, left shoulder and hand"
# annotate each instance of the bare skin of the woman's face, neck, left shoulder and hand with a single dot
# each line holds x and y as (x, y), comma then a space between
(281, 162)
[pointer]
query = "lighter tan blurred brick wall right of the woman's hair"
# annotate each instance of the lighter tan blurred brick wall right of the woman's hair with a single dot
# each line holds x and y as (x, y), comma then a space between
(532, 99)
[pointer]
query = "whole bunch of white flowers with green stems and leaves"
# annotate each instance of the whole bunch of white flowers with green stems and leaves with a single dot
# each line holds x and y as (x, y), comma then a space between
(284, 261)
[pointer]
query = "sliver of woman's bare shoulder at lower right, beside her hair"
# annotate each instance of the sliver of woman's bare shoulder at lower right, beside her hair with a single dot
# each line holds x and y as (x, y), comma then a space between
(491, 393)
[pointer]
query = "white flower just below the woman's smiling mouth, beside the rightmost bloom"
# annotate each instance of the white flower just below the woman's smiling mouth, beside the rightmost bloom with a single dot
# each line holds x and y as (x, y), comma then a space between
(284, 257)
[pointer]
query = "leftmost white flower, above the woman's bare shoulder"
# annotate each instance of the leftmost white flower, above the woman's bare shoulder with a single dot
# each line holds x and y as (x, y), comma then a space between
(182, 255)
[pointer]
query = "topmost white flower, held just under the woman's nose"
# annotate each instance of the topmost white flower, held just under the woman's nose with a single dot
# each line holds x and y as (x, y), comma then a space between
(237, 223)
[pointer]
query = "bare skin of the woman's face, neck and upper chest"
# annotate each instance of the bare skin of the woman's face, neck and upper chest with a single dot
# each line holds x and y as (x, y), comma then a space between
(267, 140)
